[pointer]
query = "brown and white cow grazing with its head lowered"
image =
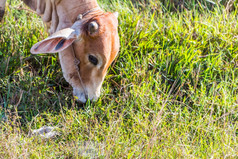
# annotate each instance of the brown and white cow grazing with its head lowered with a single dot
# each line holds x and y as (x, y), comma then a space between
(85, 37)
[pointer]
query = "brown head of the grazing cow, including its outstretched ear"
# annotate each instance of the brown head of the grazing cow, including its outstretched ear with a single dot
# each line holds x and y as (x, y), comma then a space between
(94, 42)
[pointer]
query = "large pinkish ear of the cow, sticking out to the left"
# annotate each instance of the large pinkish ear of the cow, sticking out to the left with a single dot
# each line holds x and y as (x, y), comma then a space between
(56, 42)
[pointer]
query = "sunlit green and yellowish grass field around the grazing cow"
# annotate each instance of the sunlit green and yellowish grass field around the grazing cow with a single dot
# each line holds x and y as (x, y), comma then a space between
(172, 92)
